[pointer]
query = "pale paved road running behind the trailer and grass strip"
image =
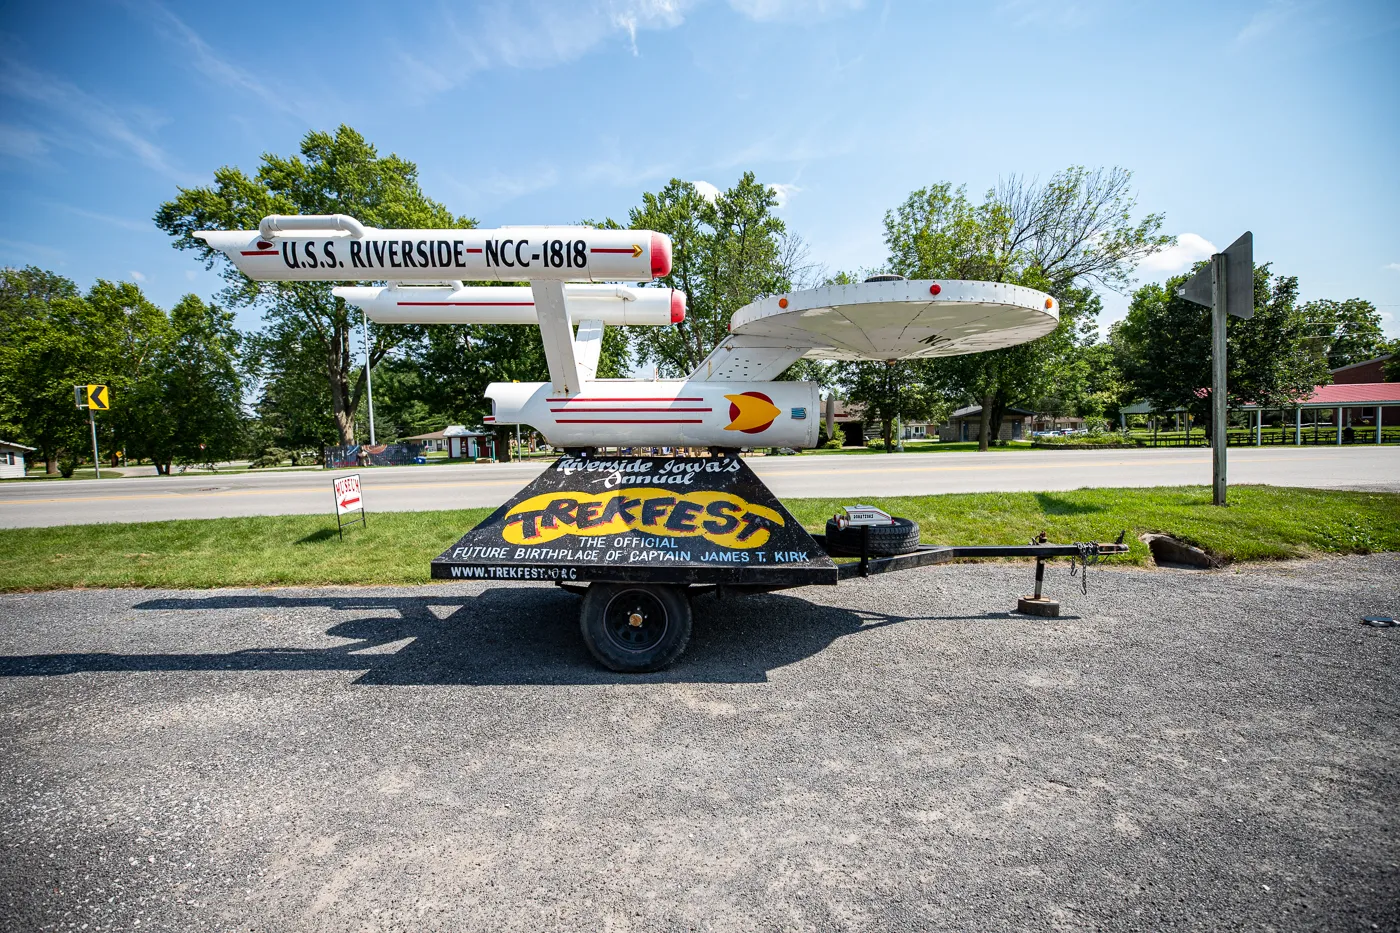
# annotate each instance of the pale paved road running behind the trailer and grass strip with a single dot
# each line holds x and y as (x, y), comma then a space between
(471, 485)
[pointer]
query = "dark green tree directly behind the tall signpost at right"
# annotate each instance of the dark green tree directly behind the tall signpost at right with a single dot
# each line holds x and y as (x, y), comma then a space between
(1164, 348)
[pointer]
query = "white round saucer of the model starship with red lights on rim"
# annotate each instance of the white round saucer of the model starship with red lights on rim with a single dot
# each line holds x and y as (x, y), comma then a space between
(898, 320)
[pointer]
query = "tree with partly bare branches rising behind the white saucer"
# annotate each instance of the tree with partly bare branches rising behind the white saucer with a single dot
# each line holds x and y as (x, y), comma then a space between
(1065, 237)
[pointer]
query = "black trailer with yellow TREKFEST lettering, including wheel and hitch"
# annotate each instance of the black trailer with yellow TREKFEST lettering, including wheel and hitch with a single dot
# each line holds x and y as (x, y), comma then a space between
(639, 536)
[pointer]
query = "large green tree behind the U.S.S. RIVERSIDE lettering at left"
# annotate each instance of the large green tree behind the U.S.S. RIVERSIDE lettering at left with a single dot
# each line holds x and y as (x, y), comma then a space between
(337, 173)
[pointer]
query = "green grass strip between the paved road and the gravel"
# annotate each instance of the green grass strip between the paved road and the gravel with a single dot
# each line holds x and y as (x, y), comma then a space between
(1262, 523)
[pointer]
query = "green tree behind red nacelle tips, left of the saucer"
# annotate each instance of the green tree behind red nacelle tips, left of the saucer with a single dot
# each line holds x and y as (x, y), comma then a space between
(726, 253)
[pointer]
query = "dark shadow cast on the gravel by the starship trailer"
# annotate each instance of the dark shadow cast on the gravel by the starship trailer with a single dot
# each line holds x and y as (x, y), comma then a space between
(506, 637)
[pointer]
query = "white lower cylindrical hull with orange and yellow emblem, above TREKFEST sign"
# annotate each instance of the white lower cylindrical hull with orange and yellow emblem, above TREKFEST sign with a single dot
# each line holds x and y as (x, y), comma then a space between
(663, 414)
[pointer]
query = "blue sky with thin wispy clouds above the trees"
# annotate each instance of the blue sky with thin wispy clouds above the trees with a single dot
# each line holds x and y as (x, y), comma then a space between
(1272, 116)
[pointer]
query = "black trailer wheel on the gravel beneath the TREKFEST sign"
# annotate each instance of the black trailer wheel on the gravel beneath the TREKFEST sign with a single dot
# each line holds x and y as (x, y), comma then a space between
(635, 627)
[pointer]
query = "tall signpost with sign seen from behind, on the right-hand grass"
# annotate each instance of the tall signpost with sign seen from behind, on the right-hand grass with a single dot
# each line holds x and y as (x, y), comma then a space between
(1227, 286)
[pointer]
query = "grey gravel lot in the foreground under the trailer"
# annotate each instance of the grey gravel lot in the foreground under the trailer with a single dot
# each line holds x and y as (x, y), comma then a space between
(1179, 752)
